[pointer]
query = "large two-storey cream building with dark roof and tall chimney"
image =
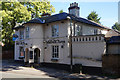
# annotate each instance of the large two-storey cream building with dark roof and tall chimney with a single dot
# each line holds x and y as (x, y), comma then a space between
(47, 40)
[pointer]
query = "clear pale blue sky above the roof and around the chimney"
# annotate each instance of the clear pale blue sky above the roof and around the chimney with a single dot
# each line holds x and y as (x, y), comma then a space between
(108, 11)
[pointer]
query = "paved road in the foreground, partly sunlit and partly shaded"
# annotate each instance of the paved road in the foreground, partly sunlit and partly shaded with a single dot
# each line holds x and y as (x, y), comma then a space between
(11, 69)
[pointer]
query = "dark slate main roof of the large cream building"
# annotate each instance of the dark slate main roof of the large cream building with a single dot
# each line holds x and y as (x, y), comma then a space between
(63, 16)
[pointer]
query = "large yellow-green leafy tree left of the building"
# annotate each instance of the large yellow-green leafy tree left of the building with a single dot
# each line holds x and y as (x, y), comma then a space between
(19, 12)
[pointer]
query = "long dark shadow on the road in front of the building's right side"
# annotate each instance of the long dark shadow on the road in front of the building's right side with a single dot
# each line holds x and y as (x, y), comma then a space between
(63, 75)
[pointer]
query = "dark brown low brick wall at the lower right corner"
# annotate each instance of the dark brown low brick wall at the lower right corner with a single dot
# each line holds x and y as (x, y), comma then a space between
(111, 64)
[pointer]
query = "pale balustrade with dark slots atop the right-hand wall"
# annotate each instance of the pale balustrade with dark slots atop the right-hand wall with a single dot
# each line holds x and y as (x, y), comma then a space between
(88, 38)
